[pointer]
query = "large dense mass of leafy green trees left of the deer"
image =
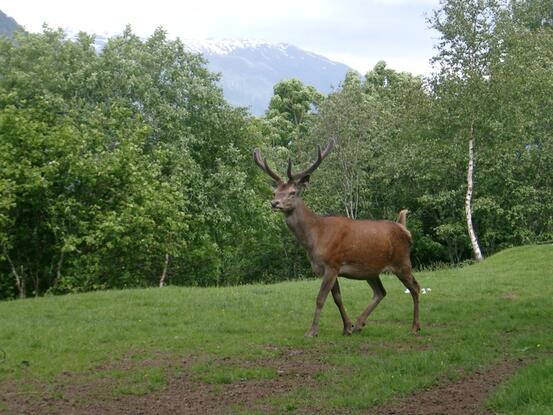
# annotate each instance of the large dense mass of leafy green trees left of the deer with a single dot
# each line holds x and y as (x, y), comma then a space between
(111, 161)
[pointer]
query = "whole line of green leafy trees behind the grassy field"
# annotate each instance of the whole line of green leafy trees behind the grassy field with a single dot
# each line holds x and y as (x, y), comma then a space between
(124, 167)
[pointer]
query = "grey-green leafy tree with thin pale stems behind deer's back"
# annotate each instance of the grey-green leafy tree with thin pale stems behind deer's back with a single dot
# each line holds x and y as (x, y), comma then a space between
(350, 117)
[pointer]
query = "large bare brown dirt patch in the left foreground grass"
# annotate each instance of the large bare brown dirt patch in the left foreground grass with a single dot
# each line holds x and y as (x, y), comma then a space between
(92, 393)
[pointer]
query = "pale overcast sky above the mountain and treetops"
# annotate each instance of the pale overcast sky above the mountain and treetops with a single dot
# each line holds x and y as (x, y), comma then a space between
(355, 32)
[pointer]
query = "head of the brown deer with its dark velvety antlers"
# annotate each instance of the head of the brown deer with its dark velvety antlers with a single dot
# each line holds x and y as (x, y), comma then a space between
(287, 194)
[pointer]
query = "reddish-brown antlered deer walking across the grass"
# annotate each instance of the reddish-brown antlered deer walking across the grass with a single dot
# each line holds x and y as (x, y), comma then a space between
(340, 246)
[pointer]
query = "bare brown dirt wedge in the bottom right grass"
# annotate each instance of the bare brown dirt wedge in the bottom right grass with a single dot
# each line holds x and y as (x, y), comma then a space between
(464, 397)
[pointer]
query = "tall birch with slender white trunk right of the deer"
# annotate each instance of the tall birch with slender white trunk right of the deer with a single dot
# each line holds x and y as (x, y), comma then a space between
(467, 48)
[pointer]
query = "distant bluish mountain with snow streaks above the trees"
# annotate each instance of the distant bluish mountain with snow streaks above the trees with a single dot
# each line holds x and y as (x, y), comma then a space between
(249, 69)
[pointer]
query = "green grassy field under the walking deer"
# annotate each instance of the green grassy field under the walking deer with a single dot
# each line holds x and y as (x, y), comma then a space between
(473, 318)
